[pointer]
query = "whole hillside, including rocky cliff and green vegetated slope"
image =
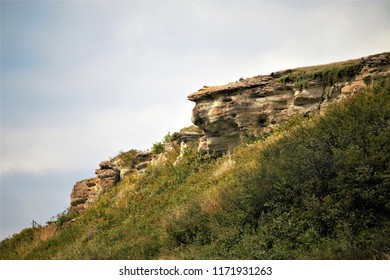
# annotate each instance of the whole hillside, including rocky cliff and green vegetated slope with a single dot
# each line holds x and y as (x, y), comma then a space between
(299, 171)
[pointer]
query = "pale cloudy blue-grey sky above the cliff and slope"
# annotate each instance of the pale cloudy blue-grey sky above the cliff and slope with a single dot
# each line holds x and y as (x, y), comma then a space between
(83, 80)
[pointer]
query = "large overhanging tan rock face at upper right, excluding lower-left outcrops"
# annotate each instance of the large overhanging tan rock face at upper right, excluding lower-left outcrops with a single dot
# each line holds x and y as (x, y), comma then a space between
(229, 114)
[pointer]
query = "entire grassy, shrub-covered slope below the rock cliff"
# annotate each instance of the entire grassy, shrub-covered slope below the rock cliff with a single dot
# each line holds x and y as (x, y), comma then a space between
(315, 188)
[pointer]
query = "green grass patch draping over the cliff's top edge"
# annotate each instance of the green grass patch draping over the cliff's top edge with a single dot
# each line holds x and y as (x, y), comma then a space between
(328, 75)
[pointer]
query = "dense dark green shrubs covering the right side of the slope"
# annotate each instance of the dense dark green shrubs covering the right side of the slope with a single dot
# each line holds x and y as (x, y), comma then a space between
(327, 182)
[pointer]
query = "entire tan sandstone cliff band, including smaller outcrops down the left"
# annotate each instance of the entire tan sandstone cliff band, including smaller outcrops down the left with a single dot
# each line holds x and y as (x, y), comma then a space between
(227, 115)
